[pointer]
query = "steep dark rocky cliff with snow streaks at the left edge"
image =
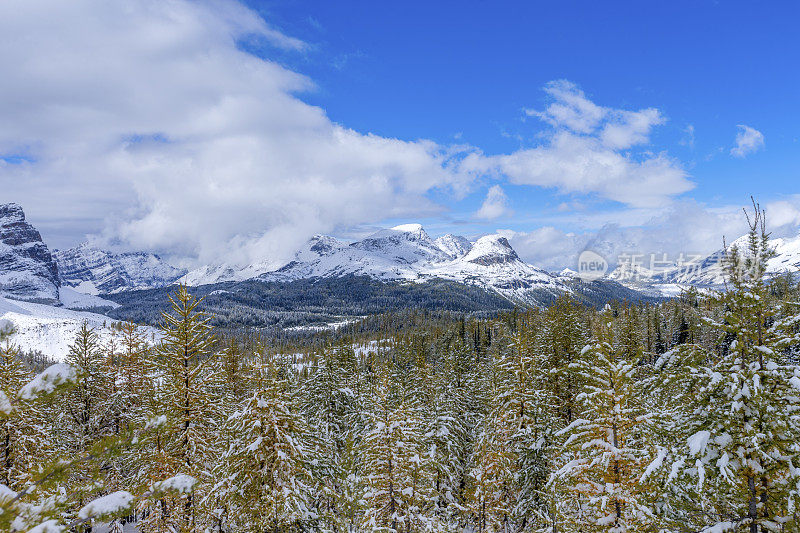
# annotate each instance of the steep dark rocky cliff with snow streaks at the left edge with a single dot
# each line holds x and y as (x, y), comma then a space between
(27, 269)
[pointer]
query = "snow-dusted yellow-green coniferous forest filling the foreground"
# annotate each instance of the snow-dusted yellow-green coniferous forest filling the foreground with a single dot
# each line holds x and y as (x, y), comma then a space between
(681, 416)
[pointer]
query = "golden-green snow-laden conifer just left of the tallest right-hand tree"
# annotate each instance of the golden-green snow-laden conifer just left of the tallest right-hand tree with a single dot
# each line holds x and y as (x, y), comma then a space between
(608, 453)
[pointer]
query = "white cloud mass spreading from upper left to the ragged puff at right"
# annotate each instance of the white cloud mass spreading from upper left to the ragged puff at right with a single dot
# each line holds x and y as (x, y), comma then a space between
(148, 119)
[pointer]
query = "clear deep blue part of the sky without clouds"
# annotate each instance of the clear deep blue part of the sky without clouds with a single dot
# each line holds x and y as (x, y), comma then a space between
(464, 71)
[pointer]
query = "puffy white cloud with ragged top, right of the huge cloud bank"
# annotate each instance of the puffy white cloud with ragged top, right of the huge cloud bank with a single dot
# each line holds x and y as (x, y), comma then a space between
(590, 150)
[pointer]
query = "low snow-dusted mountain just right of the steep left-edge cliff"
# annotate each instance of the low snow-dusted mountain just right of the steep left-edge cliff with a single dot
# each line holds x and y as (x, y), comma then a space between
(91, 270)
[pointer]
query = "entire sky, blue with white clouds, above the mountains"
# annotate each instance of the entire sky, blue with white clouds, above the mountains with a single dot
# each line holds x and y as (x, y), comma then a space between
(222, 131)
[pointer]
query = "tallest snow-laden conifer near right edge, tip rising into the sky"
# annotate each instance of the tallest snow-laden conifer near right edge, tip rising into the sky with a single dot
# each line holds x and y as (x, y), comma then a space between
(740, 404)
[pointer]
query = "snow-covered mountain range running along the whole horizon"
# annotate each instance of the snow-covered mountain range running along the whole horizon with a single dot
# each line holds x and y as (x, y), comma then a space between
(402, 254)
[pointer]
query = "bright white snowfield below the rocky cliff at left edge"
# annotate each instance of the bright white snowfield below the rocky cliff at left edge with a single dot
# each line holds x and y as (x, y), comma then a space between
(50, 329)
